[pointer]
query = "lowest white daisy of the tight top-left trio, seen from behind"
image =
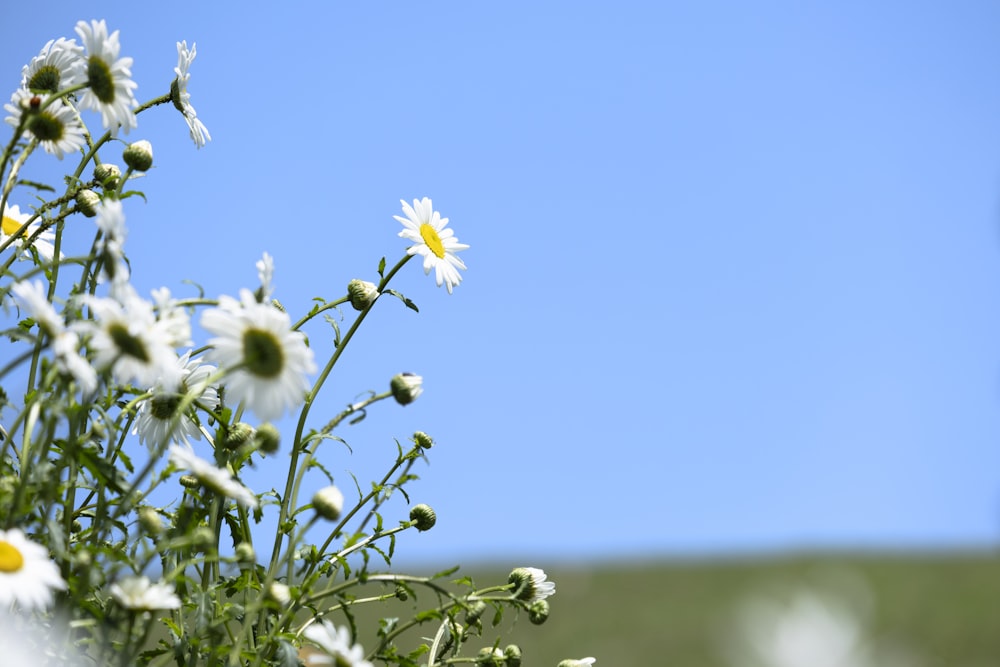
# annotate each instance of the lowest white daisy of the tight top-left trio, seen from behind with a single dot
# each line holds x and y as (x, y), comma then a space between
(53, 123)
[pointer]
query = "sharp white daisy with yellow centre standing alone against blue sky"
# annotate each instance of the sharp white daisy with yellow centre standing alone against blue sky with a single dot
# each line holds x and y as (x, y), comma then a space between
(434, 242)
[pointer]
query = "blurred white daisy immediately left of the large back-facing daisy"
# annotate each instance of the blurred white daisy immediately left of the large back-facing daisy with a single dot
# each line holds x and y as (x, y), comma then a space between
(125, 337)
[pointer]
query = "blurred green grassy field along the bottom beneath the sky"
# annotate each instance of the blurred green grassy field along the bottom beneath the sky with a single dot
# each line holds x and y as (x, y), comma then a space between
(927, 611)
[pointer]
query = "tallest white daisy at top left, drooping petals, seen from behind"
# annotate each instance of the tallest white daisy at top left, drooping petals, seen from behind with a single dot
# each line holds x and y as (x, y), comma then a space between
(110, 88)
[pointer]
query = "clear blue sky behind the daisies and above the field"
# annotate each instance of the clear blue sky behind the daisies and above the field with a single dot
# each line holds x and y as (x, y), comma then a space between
(734, 269)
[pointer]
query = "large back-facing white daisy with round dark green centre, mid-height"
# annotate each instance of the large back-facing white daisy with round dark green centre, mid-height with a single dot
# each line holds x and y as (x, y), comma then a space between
(267, 362)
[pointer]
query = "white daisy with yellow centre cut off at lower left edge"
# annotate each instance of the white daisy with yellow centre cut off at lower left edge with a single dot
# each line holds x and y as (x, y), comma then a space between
(27, 574)
